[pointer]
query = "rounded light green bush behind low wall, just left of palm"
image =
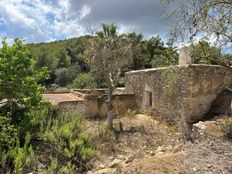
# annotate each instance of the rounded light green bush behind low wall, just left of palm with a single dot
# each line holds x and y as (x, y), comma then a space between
(84, 80)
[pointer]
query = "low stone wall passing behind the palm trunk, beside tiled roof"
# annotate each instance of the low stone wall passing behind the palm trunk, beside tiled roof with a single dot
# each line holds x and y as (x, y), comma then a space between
(95, 104)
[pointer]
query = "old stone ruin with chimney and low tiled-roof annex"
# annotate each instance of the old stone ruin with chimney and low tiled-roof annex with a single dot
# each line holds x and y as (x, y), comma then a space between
(189, 90)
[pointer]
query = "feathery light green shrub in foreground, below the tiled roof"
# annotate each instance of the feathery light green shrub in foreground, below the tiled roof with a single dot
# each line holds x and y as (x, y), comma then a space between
(73, 148)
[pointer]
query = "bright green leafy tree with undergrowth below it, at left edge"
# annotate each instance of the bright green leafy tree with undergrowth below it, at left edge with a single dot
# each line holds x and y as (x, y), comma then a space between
(20, 92)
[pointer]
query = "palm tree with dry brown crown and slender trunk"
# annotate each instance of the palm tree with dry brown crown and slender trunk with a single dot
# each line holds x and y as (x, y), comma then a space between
(110, 53)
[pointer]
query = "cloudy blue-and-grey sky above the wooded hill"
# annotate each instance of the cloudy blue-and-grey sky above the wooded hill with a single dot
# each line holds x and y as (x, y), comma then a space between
(49, 20)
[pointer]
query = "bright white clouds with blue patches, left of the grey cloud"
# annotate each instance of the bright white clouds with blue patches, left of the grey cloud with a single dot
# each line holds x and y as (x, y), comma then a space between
(39, 20)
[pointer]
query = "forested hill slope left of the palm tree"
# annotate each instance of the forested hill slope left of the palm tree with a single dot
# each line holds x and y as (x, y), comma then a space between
(64, 59)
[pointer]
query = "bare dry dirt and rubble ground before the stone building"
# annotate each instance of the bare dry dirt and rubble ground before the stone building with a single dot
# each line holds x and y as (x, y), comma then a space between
(147, 146)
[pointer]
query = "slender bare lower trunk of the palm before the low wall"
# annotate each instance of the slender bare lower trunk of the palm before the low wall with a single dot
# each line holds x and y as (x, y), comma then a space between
(110, 109)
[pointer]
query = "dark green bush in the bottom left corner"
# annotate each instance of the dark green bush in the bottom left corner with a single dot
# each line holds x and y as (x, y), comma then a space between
(14, 158)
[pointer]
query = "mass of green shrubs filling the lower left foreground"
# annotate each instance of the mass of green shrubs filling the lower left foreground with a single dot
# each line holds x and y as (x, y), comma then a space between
(69, 148)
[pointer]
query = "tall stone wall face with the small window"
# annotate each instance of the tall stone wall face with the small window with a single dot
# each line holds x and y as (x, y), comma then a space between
(149, 85)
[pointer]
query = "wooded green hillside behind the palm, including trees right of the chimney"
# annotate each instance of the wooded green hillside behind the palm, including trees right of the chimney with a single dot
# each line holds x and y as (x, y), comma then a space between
(68, 67)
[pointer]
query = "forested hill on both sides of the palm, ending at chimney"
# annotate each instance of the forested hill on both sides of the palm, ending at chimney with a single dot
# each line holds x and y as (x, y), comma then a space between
(67, 64)
